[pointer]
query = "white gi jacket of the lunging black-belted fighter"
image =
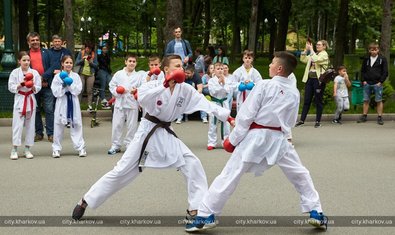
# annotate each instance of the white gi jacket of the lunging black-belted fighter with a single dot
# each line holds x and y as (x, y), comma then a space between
(164, 149)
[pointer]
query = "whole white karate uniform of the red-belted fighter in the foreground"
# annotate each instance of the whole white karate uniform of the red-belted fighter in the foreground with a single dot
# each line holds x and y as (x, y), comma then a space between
(272, 103)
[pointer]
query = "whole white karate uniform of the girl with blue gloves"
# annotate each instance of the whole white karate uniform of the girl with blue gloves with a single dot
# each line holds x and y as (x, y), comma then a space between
(60, 120)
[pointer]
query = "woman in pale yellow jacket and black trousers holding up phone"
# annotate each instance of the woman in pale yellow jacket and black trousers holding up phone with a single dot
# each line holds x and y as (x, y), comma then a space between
(316, 64)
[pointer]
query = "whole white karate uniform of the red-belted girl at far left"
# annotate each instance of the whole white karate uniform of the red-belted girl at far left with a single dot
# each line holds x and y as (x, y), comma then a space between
(19, 120)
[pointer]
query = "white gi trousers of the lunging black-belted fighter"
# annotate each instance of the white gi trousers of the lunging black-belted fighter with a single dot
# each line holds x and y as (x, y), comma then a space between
(127, 170)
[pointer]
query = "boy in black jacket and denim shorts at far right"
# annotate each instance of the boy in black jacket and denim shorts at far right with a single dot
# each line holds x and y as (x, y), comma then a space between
(374, 72)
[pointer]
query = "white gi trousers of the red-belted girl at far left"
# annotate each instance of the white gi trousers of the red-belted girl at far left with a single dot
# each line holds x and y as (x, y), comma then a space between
(18, 122)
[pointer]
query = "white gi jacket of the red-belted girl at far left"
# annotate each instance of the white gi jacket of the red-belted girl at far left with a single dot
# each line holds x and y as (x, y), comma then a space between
(16, 77)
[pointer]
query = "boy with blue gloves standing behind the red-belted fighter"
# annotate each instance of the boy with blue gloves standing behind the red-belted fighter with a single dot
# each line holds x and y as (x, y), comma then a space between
(246, 77)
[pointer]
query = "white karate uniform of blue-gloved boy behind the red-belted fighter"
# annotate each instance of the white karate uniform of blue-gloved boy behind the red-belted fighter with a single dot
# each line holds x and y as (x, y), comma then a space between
(241, 75)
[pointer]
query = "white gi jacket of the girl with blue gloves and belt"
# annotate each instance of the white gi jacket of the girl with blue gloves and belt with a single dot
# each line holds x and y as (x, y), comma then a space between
(61, 99)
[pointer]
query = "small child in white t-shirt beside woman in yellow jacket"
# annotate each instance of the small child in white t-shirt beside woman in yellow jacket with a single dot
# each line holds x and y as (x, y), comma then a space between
(340, 93)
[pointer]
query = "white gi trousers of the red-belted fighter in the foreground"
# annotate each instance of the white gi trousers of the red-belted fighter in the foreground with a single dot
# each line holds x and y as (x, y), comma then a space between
(225, 184)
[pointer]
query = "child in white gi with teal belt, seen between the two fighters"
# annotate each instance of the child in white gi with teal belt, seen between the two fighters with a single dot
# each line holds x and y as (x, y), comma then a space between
(219, 91)
